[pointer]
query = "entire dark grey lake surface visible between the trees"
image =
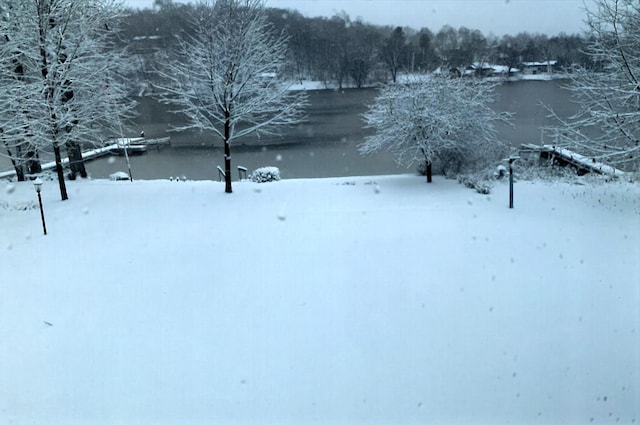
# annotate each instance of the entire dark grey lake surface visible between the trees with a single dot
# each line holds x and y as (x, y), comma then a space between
(324, 146)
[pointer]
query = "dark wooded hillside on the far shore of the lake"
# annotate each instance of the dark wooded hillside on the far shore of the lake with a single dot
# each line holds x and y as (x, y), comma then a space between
(343, 51)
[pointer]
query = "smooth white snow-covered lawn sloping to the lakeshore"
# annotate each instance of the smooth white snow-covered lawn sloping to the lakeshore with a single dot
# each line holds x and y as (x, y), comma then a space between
(371, 300)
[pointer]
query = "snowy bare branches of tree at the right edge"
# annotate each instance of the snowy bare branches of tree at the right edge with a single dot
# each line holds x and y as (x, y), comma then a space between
(607, 126)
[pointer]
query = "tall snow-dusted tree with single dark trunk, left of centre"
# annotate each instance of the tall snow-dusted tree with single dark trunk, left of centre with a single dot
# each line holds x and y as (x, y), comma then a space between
(228, 76)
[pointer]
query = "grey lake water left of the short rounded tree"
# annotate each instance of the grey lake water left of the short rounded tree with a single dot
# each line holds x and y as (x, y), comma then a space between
(323, 146)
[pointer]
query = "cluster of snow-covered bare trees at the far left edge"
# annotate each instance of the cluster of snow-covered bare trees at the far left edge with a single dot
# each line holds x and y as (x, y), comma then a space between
(65, 80)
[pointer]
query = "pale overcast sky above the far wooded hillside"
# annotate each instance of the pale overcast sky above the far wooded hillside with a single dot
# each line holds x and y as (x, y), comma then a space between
(490, 16)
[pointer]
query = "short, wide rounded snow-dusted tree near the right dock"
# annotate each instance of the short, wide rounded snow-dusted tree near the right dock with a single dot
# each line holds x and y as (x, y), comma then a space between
(437, 118)
